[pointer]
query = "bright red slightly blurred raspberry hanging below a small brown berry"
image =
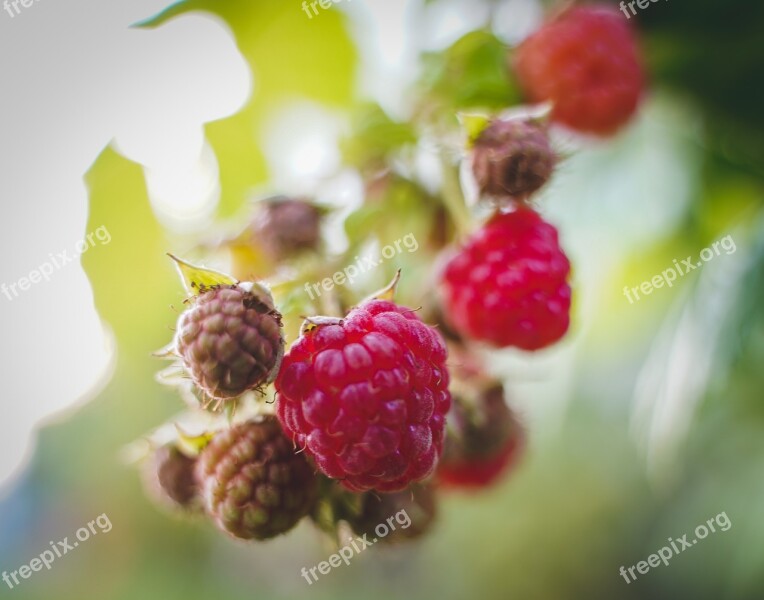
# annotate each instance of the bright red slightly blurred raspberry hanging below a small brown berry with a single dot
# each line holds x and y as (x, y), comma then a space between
(508, 285)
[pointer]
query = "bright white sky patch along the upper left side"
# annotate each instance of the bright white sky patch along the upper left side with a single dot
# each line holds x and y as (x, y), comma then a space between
(74, 77)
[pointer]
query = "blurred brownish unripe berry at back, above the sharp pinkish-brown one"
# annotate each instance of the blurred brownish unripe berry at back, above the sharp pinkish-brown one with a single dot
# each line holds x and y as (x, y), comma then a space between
(284, 227)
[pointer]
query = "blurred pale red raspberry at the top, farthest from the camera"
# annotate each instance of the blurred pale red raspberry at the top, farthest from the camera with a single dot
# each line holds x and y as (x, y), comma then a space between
(586, 62)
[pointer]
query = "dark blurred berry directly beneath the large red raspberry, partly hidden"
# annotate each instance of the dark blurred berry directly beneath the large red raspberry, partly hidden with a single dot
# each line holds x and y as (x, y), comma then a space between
(404, 515)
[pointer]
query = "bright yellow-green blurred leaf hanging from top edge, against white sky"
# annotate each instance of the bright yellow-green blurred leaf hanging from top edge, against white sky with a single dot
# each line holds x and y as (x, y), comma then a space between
(291, 57)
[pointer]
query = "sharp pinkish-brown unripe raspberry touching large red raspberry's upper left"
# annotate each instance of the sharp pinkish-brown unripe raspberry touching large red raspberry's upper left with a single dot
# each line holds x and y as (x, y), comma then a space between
(230, 340)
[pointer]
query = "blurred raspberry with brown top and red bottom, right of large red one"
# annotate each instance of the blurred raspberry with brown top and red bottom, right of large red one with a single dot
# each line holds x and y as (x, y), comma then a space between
(483, 440)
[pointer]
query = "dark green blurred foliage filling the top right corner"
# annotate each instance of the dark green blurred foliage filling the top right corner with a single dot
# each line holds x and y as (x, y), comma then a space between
(715, 53)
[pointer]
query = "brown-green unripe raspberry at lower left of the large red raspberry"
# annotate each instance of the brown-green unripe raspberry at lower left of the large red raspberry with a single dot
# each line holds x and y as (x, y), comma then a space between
(253, 484)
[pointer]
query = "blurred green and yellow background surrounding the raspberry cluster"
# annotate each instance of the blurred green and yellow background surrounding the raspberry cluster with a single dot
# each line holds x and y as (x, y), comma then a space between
(648, 421)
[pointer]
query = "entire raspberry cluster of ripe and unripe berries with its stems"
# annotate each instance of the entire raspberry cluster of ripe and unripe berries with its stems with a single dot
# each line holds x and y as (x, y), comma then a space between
(353, 422)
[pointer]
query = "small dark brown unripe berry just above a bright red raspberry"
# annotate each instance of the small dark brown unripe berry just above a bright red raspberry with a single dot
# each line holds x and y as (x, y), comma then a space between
(512, 159)
